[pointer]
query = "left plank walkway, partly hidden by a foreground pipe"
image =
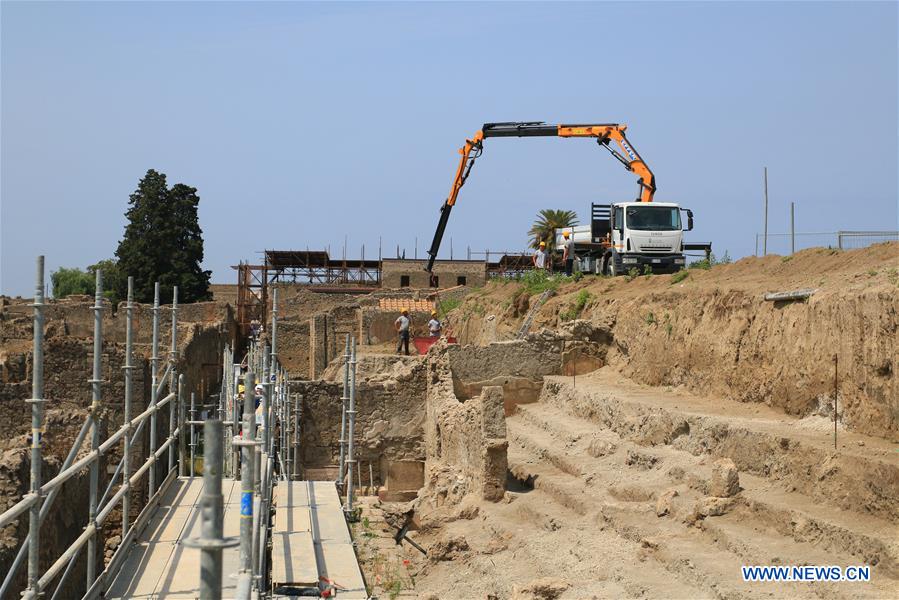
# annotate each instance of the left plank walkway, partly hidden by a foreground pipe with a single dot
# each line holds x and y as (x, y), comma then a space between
(159, 565)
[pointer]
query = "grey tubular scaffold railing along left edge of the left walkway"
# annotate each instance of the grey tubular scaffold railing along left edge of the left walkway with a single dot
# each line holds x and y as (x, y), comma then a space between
(38, 502)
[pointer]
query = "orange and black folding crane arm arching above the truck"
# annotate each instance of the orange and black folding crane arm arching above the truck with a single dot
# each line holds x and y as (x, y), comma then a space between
(603, 133)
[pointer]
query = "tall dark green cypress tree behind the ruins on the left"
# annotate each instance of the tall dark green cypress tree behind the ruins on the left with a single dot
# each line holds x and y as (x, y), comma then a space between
(163, 242)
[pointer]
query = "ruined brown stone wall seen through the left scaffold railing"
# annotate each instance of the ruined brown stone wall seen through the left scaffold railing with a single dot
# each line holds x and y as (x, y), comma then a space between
(68, 361)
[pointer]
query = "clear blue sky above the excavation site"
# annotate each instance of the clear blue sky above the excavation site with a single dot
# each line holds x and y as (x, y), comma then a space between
(303, 123)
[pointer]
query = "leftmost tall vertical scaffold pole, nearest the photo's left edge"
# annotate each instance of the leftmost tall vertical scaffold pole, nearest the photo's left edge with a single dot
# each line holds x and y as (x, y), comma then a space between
(37, 417)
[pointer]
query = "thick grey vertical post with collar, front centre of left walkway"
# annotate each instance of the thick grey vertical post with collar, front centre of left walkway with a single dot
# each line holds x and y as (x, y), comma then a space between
(212, 504)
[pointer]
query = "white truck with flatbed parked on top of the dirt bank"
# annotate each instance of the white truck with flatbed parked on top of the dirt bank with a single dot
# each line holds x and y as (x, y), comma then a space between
(632, 235)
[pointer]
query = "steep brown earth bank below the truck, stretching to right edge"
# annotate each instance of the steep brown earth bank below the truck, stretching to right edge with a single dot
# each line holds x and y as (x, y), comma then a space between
(713, 332)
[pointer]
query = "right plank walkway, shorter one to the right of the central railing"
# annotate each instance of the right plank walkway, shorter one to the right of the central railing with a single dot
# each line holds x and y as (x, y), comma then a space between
(310, 538)
